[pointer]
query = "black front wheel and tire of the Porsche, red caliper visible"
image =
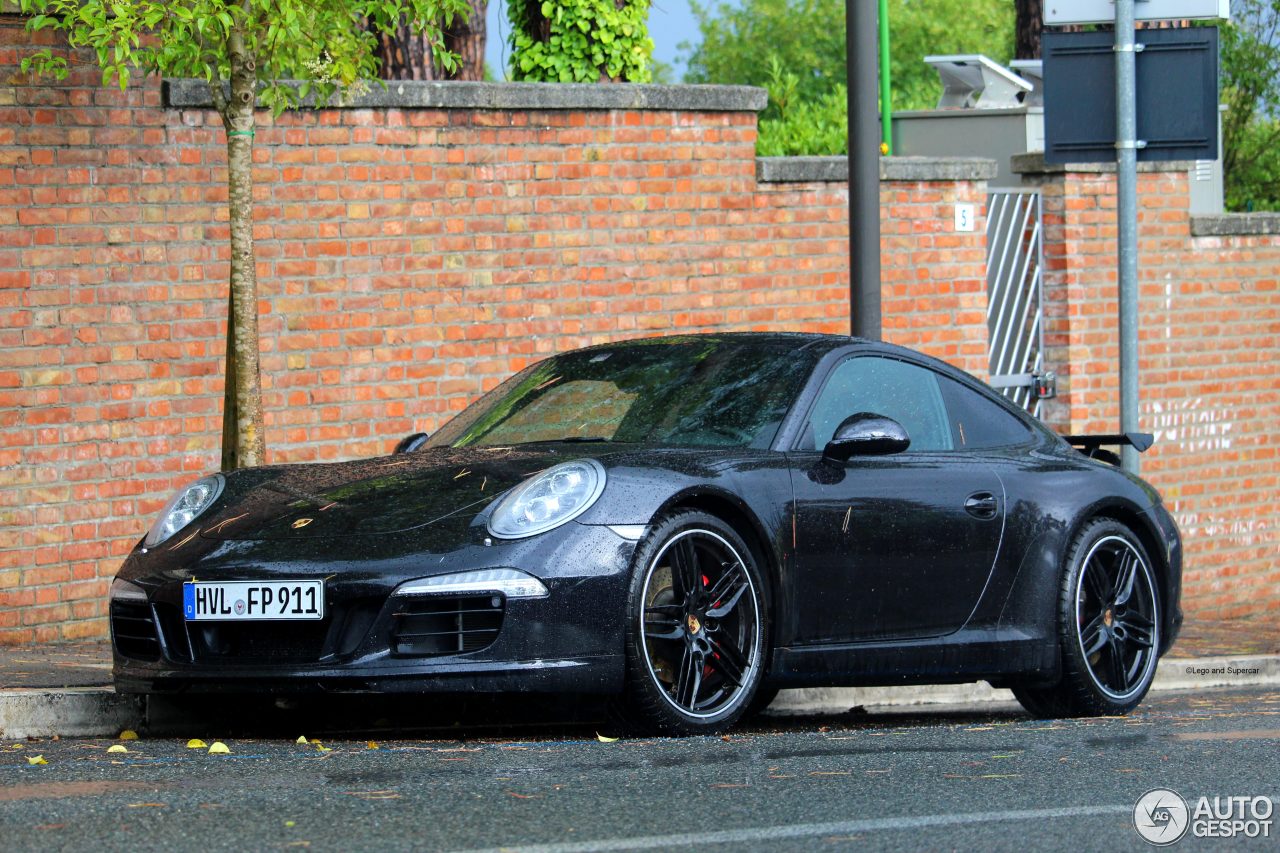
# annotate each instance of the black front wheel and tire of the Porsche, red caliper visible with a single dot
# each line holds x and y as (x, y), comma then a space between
(698, 628)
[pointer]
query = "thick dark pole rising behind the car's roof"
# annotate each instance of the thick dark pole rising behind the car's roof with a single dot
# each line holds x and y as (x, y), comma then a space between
(865, 282)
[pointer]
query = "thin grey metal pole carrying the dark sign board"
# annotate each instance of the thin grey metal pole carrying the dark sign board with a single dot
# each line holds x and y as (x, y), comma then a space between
(1127, 215)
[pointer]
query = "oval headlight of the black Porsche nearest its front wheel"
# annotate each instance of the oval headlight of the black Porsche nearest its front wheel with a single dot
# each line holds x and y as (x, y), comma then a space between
(548, 500)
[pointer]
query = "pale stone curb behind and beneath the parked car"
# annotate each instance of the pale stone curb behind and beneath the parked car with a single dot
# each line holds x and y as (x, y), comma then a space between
(100, 713)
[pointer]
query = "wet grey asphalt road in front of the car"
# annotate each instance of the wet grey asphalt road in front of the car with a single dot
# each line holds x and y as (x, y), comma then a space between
(995, 781)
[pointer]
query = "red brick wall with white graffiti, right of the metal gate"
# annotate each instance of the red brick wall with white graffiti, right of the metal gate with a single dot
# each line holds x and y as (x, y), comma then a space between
(1209, 349)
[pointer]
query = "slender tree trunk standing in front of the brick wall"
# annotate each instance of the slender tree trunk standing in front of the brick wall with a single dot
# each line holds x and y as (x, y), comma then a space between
(244, 384)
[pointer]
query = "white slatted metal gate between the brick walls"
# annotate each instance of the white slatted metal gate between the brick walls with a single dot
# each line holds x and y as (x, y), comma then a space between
(1014, 298)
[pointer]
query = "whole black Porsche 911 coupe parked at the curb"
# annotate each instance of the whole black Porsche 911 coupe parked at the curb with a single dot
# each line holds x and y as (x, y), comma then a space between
(687, 523)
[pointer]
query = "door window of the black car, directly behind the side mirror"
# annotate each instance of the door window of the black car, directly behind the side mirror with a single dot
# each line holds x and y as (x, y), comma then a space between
(897, 390)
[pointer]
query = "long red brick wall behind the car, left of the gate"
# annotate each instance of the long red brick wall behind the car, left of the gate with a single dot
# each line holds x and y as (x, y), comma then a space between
(408, 261)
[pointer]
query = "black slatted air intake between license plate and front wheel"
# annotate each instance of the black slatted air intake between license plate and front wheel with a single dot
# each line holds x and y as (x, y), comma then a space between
(435, 626)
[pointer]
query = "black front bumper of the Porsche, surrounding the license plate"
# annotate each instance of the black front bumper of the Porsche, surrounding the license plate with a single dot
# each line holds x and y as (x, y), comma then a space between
(572, 641)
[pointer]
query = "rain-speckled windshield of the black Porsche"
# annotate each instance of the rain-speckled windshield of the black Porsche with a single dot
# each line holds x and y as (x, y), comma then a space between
(701, 393)
